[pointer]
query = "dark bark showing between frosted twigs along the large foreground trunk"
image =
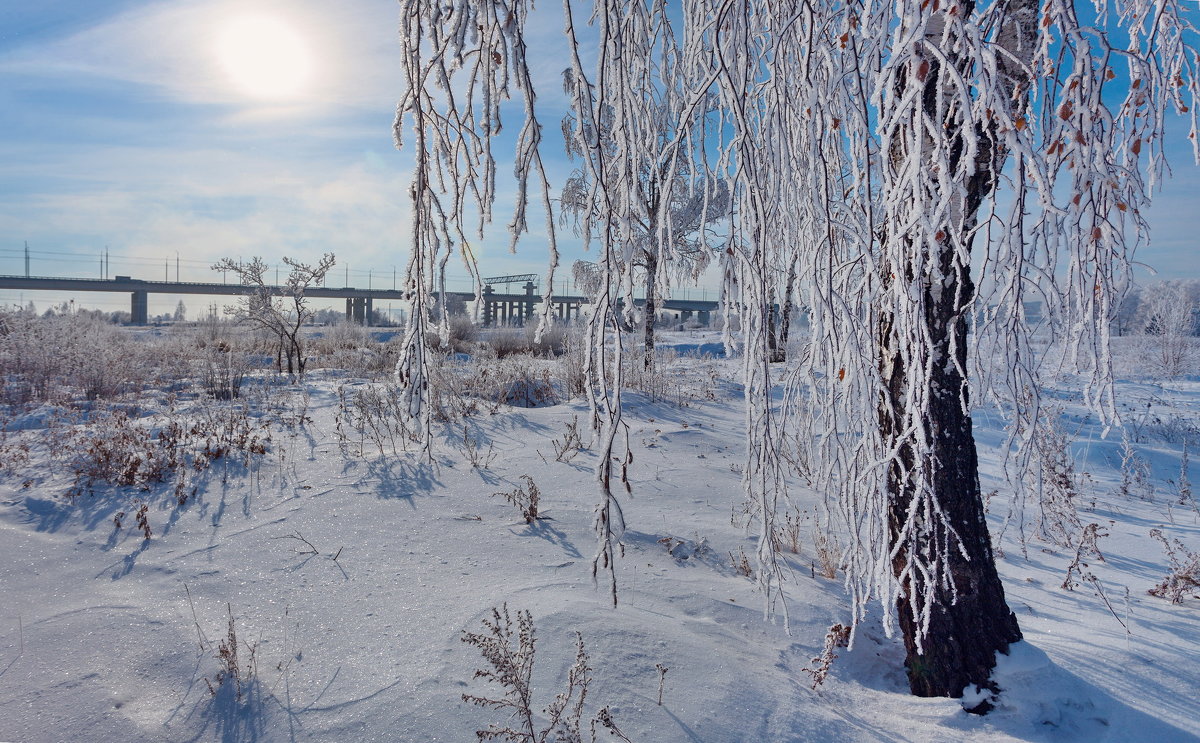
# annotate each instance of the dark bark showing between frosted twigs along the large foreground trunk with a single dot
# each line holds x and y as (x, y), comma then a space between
(970, 620)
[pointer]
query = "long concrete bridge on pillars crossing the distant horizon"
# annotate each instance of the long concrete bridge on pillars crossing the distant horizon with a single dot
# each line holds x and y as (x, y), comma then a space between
(497, 308)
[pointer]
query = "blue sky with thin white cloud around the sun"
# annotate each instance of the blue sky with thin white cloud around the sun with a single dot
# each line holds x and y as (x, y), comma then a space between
(127, 125)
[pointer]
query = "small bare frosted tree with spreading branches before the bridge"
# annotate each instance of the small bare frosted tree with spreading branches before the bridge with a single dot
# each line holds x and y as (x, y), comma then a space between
(283, 310)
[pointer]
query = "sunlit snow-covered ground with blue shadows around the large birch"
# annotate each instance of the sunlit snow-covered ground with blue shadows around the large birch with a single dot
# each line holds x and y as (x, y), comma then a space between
(356, 577)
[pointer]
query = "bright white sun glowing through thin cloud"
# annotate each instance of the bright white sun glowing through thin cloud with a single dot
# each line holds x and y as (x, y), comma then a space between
(266, 58)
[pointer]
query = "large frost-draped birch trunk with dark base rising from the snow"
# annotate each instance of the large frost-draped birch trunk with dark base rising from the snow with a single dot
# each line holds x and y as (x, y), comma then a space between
(955, 618)
